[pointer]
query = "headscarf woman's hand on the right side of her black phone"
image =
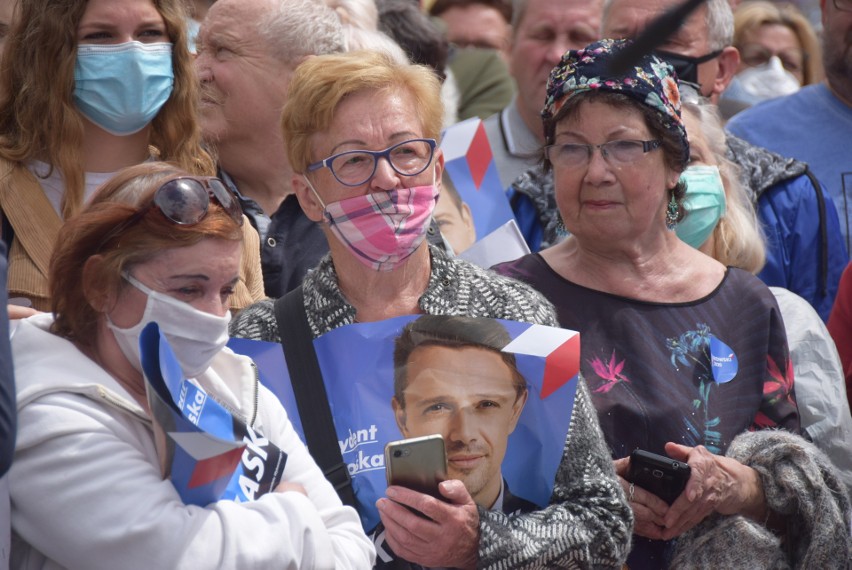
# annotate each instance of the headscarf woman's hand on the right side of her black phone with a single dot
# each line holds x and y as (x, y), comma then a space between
(717, 484)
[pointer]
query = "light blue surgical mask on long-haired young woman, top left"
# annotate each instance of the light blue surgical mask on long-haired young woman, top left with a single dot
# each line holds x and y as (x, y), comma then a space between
(122, 87)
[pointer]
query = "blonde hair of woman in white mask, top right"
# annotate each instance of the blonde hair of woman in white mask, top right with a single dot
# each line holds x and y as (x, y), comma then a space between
(750, 16)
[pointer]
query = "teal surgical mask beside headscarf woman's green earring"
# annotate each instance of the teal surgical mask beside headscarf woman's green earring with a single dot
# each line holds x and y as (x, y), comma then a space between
(704, 204)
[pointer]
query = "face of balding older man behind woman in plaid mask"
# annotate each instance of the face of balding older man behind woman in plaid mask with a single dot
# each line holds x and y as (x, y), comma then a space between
(243, 85)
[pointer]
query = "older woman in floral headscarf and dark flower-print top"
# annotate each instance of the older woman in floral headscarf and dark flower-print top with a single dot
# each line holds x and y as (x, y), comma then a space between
(685, 357)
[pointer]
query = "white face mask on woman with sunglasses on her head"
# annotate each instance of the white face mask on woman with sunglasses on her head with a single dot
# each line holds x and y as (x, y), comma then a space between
(196, 337)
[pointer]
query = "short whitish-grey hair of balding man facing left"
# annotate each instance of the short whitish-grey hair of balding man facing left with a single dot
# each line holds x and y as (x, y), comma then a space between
(295, 29)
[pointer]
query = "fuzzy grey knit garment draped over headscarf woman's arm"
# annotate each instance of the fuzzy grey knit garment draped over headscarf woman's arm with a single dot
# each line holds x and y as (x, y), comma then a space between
(800, 484)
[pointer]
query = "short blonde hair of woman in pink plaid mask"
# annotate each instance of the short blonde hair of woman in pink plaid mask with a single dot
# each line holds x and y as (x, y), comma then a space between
(320, 83)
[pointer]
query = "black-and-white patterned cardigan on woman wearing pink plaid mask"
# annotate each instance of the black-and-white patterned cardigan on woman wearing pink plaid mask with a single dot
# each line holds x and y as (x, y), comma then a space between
(588, 523)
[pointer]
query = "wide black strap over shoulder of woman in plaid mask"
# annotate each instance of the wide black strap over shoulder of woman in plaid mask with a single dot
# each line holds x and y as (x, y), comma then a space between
(309, 389)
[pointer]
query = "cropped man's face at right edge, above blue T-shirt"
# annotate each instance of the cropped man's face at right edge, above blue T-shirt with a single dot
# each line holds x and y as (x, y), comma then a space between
(837, 48)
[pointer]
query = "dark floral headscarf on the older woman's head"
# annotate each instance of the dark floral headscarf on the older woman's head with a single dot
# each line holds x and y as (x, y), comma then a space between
(651, 82)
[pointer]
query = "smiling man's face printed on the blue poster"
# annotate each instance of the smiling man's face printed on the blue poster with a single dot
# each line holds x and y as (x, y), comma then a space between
(470, 396)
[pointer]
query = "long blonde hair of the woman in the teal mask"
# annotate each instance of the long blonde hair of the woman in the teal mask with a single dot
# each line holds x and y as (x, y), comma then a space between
(739, 241)
